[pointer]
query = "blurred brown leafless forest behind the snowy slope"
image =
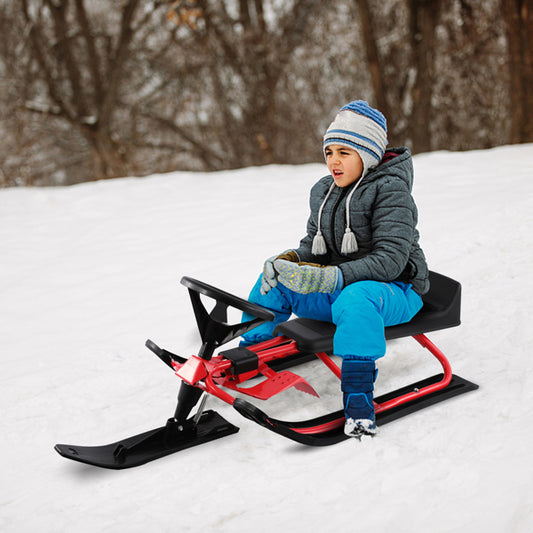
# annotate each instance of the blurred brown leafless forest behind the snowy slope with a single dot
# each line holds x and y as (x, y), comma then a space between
(93, 89)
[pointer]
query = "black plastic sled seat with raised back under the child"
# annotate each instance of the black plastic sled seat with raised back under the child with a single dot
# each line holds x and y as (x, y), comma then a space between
(441, 310)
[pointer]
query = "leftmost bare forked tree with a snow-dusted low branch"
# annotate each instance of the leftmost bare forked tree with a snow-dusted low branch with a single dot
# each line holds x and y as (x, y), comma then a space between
(81, 72)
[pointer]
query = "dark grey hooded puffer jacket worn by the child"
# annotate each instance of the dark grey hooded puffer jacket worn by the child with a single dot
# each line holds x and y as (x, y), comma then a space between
(383, 217)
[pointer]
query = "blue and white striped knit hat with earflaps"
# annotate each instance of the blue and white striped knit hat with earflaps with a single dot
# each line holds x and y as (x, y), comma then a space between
(362, 128)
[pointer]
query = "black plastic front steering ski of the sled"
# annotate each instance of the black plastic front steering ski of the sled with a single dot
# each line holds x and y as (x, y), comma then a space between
(151, 445)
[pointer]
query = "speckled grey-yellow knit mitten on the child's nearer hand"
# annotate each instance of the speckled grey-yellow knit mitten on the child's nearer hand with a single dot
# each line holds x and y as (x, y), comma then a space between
(307, 278)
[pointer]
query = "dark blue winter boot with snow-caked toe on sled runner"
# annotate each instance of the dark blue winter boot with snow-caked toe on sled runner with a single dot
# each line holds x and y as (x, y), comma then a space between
(357, 384)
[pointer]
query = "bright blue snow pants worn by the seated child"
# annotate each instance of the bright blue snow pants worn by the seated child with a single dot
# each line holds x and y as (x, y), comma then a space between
(361, 311)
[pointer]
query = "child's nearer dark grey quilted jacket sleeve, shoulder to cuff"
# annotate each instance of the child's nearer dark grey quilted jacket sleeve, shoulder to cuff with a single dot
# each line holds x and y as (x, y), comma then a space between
(393, 222)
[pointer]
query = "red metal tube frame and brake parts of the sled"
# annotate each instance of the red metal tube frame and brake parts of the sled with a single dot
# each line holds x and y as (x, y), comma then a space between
(211, 375)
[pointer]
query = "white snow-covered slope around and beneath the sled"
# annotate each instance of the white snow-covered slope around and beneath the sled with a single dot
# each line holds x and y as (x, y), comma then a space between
(87, 273)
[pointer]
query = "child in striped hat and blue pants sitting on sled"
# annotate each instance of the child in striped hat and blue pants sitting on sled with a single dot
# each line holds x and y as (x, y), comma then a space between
(360, 265)
